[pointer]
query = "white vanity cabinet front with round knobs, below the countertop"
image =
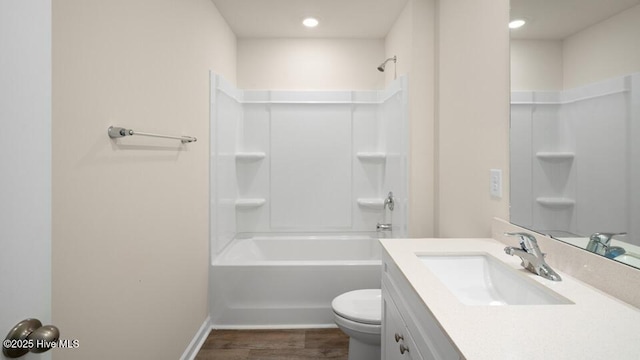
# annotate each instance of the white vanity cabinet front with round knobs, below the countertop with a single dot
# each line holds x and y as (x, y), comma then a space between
(409, 331)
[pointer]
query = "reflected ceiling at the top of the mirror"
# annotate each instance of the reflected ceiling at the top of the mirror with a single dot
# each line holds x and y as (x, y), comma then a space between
(557, 19)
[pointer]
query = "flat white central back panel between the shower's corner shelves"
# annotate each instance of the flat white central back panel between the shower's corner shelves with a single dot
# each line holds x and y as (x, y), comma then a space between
(310, 166)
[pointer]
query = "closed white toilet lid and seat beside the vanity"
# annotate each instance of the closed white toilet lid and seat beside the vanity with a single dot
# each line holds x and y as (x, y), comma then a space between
(360, 306)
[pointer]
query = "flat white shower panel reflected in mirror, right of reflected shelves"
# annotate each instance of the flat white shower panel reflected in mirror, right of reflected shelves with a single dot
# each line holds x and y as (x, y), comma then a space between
(601, 125)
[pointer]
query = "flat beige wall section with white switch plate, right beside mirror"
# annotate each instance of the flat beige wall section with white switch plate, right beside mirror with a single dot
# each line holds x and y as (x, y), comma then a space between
(473, 114)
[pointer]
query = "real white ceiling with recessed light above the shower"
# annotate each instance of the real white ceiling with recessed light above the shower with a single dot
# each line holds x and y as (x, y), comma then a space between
(283, 18)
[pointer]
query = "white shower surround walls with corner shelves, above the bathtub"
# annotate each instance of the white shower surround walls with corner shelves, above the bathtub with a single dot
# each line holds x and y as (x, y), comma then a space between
(306, 161)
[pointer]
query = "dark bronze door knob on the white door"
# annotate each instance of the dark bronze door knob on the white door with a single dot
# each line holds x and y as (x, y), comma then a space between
(29, 335)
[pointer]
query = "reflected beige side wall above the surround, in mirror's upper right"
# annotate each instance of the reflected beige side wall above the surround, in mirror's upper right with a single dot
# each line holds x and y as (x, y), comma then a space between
(605, 50)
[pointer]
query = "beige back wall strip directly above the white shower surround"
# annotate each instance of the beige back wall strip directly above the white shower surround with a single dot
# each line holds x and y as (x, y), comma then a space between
(310, 64)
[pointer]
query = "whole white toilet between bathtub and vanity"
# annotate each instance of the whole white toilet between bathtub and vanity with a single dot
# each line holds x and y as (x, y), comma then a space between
(358, 314)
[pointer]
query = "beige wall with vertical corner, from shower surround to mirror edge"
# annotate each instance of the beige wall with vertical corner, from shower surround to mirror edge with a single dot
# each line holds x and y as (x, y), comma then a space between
(458, 112)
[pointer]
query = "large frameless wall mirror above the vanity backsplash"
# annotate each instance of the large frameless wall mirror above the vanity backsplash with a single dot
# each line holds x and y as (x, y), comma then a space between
(575, 123)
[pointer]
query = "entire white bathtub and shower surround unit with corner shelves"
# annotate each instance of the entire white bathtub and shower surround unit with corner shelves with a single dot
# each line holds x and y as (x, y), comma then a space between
(317, 164)
